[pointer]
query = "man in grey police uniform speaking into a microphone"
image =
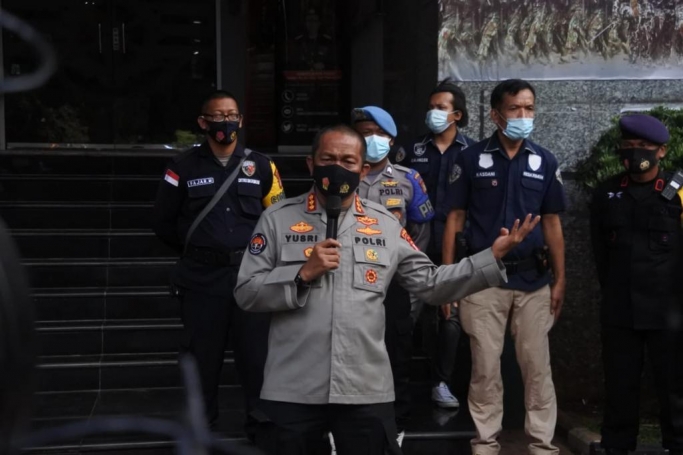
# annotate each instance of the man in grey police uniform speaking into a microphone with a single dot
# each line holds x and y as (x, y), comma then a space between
(327, 367)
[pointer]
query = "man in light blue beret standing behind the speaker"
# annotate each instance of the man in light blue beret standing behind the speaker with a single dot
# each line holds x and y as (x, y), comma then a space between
(402, 191)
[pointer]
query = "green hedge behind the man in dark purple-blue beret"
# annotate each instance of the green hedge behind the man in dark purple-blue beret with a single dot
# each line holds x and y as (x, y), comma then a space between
(603, 162)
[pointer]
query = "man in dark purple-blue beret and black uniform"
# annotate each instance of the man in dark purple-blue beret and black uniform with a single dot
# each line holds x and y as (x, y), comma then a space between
(637, 242)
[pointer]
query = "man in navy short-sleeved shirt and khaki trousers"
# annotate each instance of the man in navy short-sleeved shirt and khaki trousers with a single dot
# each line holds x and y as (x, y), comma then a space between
(492, 183)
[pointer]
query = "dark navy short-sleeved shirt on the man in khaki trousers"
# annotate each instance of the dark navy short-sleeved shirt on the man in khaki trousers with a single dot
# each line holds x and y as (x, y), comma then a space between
(496, 190)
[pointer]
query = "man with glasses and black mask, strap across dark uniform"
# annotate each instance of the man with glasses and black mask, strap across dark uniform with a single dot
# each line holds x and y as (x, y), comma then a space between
(211, 244)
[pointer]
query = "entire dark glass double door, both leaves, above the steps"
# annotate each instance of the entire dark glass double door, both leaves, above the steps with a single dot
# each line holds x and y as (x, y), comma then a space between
(131, 73)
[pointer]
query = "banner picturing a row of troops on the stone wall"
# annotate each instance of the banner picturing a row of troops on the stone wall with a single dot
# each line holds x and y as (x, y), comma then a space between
(481, 40)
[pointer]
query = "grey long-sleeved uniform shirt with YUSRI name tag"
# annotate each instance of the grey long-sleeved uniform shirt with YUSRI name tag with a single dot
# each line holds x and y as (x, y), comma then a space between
(326, 341)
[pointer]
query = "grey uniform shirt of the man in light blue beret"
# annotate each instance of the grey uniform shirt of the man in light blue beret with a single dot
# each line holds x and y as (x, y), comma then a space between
(401, 191)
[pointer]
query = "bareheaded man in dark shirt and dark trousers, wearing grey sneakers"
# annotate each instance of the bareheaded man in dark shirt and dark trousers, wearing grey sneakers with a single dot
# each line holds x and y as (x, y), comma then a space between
(428, 156)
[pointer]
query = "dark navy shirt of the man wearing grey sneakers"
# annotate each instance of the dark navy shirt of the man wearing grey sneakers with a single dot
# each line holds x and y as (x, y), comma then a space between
(425, 157)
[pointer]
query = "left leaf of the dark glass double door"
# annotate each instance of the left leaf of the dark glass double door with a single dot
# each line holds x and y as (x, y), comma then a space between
(74, 107)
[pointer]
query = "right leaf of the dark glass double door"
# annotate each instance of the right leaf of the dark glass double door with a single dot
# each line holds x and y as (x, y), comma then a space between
(164, 65)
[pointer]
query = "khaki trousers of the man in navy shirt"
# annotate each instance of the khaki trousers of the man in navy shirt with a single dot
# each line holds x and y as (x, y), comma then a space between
(484, 318)
